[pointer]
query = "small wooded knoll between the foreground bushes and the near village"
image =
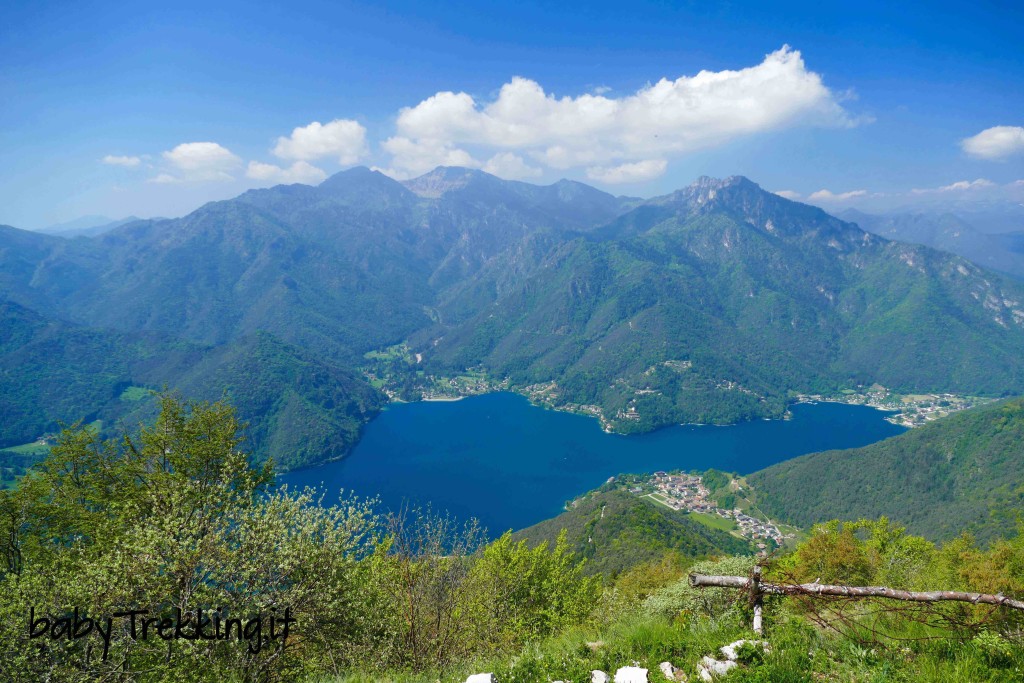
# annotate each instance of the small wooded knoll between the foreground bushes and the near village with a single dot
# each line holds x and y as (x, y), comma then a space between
(615, 531)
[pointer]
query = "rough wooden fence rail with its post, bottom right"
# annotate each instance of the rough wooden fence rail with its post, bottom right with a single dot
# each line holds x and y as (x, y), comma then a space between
(758, 589)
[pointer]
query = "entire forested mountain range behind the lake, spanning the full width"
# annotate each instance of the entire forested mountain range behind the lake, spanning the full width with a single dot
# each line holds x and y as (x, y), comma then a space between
(715, 304)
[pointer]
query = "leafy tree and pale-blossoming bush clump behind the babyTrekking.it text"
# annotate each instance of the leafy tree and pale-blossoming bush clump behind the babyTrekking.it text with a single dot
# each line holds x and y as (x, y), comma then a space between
(176, 522)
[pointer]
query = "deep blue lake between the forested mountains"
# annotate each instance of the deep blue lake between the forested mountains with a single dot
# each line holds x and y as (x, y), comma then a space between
(510, 464)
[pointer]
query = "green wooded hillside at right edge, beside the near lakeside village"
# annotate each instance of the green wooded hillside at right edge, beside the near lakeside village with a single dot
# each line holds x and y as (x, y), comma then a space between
(964, 473)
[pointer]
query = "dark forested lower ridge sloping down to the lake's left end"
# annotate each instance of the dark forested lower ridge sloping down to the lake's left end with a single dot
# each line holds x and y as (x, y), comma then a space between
(301, 410)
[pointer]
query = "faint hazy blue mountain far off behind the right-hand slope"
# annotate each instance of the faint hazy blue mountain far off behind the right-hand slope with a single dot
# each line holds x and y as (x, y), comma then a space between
(948, 232)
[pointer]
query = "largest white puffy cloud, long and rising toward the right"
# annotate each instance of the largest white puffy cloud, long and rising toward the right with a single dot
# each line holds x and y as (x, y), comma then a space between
(670, 117)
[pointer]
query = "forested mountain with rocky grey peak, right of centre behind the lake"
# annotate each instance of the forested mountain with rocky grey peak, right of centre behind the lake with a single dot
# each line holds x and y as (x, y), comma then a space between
(713, 304)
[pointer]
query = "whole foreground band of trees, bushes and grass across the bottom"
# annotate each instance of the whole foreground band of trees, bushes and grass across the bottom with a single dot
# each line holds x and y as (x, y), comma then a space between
(177, 522)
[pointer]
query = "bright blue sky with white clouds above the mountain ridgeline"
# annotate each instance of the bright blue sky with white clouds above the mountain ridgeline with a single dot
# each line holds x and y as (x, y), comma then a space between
(116, 110)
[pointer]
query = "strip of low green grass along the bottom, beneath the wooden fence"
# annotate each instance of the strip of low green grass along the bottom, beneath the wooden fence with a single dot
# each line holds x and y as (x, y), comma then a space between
(800, 653)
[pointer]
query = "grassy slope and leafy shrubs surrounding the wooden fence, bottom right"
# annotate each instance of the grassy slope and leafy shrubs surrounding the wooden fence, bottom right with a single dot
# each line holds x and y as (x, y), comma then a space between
(651, 615)
